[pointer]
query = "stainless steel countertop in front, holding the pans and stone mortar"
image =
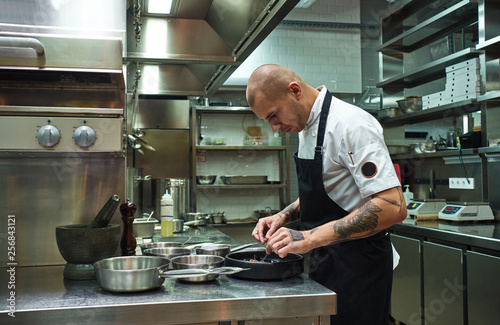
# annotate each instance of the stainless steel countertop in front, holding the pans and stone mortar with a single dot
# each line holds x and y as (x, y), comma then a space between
(44, 296)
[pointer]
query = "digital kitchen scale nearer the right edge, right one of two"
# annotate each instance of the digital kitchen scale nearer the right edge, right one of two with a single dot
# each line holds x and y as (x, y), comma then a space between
(466, 211)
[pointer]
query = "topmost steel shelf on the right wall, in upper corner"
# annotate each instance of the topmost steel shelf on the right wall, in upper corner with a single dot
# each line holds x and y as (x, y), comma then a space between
(449, 20)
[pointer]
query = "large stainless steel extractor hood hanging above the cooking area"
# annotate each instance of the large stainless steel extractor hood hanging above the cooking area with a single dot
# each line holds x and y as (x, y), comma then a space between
(197, 49)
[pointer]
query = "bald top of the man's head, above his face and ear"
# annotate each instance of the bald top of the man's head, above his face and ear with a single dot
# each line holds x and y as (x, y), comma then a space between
(271, 80)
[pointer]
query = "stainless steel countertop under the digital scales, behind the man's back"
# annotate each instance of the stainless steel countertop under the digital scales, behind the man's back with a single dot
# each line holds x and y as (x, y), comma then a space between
(484, 234)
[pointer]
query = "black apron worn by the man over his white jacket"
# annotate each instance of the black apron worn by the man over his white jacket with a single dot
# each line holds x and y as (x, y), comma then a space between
(359, 271)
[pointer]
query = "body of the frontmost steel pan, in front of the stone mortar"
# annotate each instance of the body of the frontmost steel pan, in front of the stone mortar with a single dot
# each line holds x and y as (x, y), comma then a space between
(130, 273)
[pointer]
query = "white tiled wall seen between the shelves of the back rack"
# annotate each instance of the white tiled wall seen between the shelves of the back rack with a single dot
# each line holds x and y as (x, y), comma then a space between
(238, 204)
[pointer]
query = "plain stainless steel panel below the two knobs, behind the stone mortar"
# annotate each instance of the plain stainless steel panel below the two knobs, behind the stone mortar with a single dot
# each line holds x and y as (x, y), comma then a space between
(44, 191)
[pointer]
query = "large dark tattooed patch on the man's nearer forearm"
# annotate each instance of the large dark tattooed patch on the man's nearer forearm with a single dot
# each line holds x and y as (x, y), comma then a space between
(365, 221)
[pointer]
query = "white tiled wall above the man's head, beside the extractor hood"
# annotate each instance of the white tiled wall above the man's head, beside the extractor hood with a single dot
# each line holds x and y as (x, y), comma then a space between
(330, 57)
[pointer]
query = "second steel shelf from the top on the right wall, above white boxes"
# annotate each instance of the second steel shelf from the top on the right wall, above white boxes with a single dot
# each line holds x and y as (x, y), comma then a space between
(428, 72)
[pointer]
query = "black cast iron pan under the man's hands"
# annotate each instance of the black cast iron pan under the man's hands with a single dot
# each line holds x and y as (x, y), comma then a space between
(273, 268)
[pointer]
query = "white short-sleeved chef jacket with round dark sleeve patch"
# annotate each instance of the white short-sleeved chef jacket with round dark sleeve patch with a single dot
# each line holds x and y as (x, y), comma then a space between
(349, 129)
